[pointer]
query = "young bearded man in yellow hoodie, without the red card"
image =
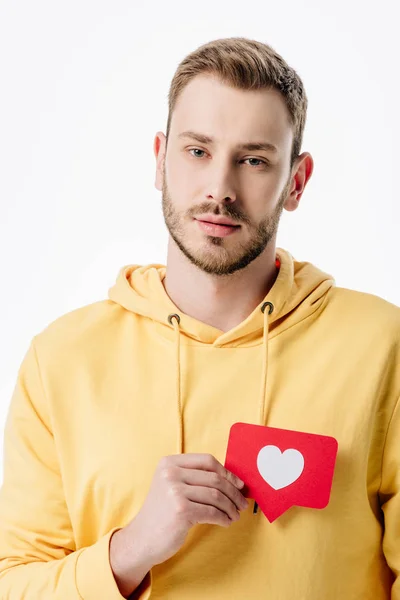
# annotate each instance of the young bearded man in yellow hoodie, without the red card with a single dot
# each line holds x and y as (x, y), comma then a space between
(115, 483)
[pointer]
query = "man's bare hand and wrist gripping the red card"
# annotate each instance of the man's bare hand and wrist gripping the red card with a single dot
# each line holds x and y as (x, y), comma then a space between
(186, 489)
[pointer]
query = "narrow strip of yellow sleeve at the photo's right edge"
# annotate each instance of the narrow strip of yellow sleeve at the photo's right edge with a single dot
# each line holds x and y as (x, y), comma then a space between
(390, 499)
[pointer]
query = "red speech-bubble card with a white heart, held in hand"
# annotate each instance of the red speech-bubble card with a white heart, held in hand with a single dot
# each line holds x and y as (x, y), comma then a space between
(282, 468)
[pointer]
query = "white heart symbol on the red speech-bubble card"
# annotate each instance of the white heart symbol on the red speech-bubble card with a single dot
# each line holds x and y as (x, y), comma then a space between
(279, 469)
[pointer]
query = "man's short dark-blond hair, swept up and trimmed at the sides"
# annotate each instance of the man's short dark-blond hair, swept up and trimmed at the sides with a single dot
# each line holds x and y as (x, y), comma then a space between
(248, 65)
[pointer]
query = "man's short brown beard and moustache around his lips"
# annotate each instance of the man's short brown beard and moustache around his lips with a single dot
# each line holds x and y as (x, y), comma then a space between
(213, 257)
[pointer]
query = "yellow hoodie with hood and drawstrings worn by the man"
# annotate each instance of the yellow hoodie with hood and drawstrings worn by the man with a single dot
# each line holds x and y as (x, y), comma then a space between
(108, 389)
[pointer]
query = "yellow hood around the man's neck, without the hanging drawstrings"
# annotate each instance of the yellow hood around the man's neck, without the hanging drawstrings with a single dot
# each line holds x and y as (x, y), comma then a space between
(299, 289)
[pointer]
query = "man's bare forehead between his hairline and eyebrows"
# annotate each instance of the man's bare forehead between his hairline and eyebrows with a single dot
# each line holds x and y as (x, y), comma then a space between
(216, 109)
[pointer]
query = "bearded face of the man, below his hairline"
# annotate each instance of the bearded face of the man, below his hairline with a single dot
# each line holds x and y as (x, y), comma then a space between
(201, 178)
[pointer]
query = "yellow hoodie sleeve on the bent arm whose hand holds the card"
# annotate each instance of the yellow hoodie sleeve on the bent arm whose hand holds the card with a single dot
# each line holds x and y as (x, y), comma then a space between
(38, 556)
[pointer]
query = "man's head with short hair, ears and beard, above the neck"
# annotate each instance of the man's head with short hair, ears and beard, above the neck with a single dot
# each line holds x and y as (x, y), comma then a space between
(231, 93)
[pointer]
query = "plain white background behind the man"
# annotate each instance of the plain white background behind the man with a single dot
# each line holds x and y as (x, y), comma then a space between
(83, 90)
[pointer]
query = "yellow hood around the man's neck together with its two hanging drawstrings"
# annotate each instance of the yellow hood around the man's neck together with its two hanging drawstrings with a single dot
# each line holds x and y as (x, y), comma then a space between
(298, 291)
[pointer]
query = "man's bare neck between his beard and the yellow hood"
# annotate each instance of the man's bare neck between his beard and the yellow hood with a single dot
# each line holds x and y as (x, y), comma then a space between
(222, 302)
